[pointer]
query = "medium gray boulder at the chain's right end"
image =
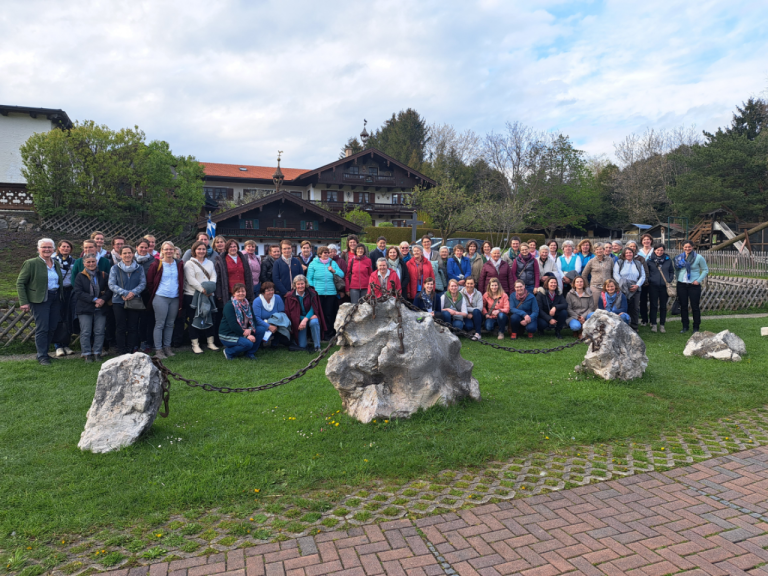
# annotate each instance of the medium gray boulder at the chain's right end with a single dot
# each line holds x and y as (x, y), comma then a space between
(616, 351)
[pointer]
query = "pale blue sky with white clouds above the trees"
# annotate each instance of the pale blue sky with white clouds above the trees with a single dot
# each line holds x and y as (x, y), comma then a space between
(234, 82)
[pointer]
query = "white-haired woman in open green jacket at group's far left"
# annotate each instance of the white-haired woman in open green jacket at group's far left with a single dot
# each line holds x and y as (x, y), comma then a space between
(40, 285)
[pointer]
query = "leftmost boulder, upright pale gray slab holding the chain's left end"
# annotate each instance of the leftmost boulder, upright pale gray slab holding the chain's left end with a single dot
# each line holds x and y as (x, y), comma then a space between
(128, 396)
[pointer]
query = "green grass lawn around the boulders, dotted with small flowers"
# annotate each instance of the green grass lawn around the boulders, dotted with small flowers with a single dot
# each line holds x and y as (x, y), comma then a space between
(216, 449)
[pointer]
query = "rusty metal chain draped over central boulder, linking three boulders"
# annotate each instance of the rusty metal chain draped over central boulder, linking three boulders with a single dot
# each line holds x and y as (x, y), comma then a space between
(166, 374)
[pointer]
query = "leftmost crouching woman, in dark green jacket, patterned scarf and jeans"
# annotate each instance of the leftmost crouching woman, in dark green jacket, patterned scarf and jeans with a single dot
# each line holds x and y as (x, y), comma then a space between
(240, 331)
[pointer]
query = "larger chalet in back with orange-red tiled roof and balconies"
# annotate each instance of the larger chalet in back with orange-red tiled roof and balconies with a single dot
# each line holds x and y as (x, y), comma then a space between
(369, 180)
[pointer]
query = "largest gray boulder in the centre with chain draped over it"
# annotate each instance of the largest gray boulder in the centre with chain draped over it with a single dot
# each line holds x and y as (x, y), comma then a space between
(376, 381)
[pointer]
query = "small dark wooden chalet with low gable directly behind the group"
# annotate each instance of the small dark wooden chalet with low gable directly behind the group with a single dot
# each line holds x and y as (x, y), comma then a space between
(283, 215)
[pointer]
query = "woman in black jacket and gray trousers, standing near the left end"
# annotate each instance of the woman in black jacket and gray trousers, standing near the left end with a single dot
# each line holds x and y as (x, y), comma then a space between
(91, 293)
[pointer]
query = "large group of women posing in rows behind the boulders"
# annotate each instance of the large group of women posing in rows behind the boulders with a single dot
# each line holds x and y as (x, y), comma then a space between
(132, 298)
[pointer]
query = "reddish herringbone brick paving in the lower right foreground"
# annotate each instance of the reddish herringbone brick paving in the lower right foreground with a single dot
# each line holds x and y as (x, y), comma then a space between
(703, 519)
